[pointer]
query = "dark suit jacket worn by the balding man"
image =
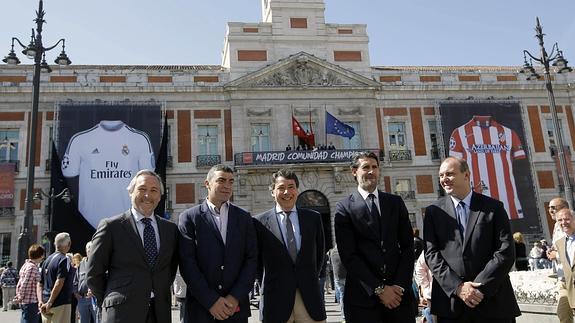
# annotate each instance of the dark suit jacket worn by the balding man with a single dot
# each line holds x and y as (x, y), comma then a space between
(485, 255)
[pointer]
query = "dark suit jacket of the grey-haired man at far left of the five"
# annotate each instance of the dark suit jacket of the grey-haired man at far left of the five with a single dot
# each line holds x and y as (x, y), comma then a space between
(120, 276)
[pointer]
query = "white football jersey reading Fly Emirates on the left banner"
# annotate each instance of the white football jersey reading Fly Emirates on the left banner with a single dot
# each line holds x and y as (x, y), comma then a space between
(106, 157)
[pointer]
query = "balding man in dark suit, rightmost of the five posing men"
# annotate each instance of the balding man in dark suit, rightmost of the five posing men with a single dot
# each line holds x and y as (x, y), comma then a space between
(470, 251)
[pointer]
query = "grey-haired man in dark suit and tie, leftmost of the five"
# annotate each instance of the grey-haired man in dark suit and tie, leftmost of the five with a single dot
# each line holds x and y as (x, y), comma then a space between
(134, 258)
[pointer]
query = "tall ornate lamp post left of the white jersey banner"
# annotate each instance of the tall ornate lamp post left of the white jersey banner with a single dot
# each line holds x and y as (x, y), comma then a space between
(35, 50)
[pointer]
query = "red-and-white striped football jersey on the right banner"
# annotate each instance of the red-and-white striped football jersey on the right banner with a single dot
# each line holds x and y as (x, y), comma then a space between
(490, 149)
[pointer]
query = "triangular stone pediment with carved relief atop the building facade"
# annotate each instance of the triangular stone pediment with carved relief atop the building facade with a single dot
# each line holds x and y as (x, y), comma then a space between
(302, 70)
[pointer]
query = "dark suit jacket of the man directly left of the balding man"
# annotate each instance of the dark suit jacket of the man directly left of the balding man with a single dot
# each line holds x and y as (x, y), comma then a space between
(374, 251)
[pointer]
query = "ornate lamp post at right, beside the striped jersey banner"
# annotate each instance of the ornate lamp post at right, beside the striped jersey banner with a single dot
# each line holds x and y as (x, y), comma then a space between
(555, 58)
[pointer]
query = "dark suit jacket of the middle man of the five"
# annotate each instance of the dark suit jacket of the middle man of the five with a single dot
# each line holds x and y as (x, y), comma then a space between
(281, 276)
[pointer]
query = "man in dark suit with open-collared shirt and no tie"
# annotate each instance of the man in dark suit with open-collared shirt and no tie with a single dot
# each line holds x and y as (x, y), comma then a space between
(218, 252)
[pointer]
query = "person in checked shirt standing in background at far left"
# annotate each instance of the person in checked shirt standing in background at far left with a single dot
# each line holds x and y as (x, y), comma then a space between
(26, 294)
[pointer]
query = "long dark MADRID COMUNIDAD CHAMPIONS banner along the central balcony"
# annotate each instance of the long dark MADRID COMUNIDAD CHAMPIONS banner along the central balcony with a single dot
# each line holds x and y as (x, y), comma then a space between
(300, 156)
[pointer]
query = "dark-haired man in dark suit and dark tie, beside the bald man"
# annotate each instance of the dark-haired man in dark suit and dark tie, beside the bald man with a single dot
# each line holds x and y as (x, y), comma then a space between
(375, 243)
